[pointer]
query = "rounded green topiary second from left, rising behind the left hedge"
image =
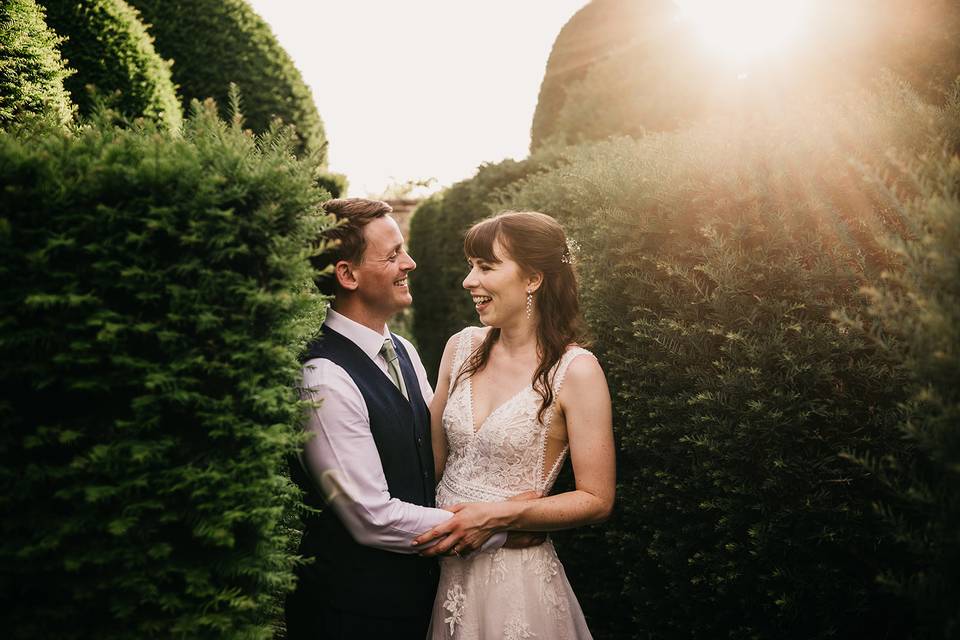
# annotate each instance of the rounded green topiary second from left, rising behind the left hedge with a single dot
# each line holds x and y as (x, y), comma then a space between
(110, 49)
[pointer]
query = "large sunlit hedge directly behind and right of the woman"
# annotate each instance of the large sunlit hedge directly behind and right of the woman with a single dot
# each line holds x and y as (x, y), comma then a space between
(712, 262)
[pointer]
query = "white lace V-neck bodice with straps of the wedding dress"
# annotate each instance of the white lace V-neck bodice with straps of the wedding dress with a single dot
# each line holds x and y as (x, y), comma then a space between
(507, 454)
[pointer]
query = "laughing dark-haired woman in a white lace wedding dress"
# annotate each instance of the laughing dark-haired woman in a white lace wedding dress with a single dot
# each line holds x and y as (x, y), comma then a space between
(513, 399)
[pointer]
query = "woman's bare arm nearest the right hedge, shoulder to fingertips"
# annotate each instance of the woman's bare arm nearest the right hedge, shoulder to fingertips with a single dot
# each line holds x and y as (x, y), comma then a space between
(585, 402)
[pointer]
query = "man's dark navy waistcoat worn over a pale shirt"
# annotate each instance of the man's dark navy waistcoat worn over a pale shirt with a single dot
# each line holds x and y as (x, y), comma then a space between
(346, 574)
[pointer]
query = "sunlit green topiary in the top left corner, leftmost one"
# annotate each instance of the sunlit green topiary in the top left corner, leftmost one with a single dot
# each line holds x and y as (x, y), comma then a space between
(31, 70)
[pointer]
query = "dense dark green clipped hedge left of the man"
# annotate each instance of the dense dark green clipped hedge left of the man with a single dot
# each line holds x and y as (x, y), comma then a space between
(155, 292)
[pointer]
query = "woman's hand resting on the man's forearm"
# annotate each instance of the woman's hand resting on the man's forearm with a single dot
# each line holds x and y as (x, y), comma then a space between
(472, 525)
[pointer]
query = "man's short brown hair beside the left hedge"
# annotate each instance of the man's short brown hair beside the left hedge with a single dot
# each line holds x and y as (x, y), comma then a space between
(352, 214)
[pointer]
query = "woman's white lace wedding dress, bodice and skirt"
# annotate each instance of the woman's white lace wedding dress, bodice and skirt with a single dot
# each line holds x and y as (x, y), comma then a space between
(509, 593)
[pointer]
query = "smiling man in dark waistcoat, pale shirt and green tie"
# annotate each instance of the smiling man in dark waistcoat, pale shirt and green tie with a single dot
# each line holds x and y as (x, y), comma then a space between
(369, 465)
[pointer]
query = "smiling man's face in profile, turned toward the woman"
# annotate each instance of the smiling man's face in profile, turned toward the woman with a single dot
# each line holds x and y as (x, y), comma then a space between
(382, 276)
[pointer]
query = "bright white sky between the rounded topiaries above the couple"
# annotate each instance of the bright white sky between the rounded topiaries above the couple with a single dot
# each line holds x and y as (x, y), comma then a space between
(418, 89)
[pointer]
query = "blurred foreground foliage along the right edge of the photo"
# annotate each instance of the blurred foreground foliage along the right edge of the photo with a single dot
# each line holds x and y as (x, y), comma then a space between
(914, 313)
